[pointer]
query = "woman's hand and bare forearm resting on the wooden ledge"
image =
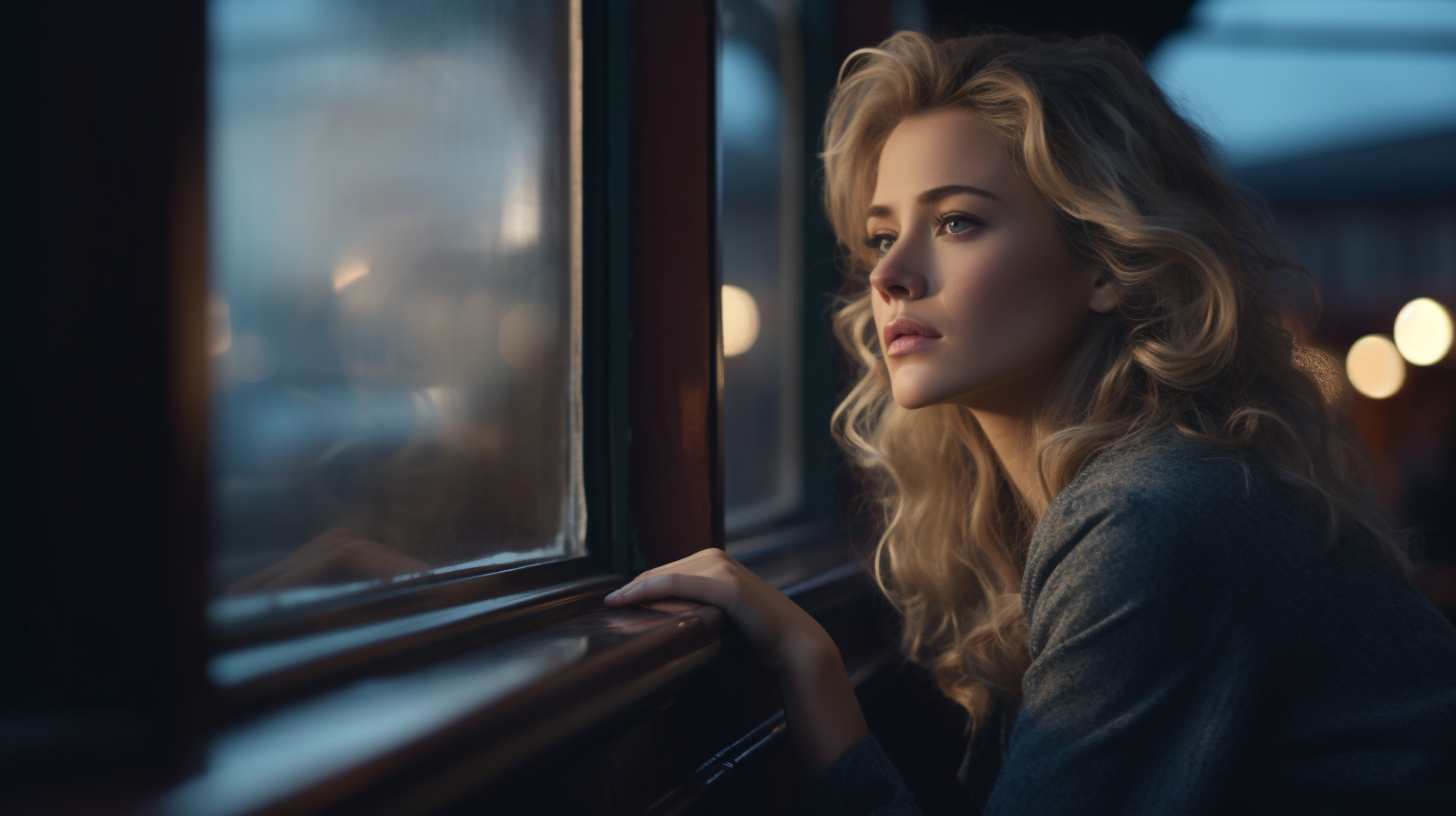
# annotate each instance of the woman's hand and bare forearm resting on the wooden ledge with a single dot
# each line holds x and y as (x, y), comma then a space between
(819, 700)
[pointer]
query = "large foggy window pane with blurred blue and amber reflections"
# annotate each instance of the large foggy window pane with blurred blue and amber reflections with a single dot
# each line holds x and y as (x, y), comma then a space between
(395, 294)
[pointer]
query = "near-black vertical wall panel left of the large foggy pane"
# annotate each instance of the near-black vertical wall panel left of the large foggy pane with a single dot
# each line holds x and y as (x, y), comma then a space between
(103, 202)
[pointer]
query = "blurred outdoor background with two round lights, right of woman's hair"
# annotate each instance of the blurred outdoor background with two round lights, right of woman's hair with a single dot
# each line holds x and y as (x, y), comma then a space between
(1343, 116)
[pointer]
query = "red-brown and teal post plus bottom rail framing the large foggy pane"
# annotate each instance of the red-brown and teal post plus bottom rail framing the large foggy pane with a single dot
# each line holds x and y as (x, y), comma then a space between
(660, 368)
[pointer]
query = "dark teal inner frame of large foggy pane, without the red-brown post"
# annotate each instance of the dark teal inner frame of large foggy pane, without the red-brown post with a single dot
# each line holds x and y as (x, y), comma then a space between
(554, 586)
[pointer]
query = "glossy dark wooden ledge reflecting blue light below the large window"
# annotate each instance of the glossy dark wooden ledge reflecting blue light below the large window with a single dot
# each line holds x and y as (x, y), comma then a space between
(480, 715)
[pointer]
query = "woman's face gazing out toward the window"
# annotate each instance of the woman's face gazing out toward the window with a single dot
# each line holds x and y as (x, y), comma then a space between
(978, 298)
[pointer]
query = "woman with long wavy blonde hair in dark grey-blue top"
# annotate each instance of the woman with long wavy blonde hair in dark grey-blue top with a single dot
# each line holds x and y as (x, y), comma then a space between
(1125, 524)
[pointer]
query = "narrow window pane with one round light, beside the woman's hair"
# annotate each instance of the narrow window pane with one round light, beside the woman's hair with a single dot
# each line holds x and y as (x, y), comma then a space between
(761, 135)
